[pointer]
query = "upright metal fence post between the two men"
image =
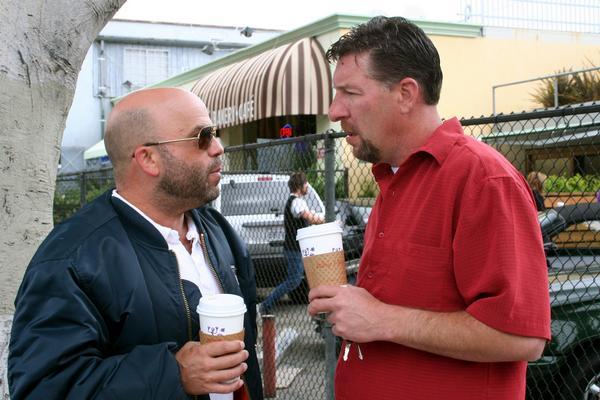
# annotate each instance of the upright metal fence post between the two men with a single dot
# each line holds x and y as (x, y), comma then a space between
(330, 356)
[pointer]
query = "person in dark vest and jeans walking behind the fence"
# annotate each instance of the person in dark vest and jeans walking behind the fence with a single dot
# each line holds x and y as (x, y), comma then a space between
(296, 215)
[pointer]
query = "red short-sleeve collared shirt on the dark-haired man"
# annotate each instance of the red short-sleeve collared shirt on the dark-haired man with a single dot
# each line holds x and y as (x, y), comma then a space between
(454, 229)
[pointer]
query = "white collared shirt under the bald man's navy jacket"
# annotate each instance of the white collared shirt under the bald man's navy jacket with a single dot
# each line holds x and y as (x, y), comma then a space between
(192, 267)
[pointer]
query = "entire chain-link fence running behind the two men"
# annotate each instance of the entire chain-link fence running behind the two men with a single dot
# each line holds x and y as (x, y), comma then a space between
(559, 150)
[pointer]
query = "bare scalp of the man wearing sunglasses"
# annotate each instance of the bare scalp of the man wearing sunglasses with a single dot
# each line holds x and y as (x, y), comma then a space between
(141, 117)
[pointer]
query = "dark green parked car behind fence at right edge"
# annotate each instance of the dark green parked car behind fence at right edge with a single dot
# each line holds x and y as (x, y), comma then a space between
(570, 366)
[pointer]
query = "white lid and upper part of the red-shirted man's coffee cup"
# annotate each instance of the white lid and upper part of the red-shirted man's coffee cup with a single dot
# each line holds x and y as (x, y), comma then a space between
(320, 239)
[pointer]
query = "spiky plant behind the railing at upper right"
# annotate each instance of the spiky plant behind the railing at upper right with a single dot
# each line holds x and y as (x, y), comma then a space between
(573, 88)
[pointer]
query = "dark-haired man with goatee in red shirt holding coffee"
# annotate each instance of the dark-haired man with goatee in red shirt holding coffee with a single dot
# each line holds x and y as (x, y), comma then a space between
(452, 294)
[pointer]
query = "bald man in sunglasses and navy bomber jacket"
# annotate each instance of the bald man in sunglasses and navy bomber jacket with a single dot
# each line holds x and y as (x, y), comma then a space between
(107, 305)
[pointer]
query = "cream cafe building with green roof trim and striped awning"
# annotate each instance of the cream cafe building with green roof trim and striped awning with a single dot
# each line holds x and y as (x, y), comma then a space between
(286, 81)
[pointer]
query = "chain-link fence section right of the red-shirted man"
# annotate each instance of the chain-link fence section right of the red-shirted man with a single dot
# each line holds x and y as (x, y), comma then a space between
(559, 152)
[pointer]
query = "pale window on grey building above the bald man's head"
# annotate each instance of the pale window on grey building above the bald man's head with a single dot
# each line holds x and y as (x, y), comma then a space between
(144, 66)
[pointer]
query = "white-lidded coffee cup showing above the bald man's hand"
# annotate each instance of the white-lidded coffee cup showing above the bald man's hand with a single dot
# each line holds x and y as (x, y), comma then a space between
(221, 317)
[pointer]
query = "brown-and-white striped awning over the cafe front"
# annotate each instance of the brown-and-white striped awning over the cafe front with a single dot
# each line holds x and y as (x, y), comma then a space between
(293, 79)
